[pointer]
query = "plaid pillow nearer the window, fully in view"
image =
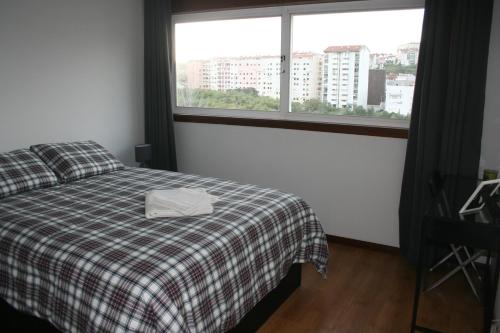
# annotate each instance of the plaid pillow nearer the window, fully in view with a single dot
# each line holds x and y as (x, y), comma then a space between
(76, 160)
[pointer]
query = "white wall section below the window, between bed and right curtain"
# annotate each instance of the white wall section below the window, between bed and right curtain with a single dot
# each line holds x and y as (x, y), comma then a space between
(352, 182)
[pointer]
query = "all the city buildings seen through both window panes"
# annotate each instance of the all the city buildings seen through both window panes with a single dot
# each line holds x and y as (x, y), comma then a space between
(339, 76)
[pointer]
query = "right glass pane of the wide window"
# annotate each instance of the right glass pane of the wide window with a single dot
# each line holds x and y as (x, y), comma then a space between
(358, 63)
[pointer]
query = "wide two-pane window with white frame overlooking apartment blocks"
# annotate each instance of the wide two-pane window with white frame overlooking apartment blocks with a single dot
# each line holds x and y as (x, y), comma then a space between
(352, 62)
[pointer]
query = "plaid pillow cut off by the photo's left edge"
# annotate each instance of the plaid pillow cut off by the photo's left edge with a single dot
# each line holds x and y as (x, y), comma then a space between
(21, 170)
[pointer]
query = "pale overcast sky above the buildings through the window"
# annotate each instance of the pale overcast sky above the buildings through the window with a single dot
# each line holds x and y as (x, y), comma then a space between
(381, 31)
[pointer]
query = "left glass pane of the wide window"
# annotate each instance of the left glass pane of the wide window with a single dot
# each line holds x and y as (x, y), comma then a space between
(229, 64)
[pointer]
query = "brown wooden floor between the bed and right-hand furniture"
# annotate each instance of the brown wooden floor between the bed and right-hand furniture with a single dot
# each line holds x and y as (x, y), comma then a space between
(372, 291)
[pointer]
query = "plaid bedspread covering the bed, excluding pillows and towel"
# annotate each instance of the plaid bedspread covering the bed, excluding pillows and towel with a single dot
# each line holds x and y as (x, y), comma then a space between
(83, 256)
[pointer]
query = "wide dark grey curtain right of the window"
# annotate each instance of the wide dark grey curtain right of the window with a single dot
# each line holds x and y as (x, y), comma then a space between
(447, 114)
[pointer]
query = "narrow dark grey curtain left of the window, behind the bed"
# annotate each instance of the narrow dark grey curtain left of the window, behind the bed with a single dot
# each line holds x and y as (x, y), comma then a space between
(159, 123)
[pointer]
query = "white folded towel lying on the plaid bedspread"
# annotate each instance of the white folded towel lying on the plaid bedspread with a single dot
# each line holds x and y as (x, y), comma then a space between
(179, 202)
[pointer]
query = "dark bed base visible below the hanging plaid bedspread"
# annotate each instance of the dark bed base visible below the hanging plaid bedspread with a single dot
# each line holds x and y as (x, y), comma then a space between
(16, 321)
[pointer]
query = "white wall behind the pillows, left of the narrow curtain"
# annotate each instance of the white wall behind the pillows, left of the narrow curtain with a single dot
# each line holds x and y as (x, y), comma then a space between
(71, 70)
